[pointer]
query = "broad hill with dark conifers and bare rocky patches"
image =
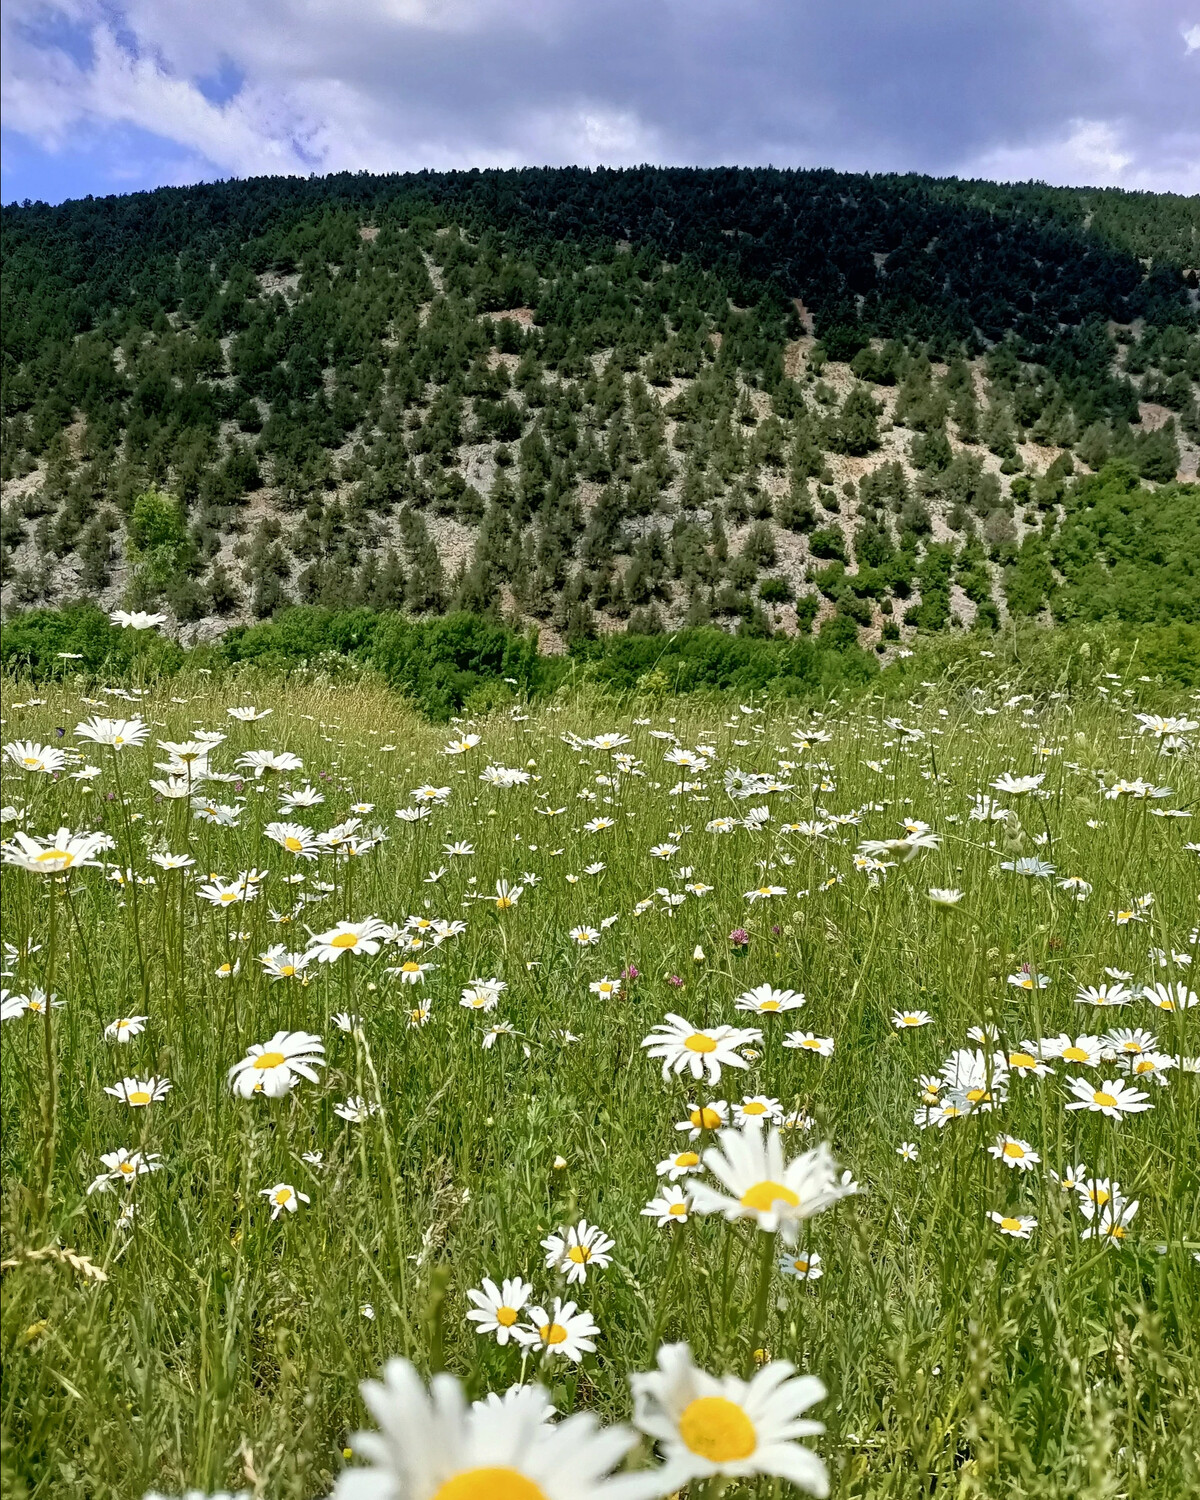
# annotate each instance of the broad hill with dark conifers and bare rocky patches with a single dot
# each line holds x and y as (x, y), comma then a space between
(868, 406)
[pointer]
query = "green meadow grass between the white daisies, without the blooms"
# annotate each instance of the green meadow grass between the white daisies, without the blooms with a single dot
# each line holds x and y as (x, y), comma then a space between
(226, 1351)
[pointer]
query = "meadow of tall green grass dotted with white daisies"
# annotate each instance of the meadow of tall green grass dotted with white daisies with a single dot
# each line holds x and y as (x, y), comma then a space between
(782, 1102)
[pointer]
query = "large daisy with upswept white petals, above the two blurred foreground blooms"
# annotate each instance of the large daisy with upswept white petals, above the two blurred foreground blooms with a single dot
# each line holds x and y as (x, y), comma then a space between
(763, 1187)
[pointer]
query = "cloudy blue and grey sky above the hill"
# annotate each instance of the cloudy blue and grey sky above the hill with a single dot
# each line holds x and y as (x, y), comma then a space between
(107, 97)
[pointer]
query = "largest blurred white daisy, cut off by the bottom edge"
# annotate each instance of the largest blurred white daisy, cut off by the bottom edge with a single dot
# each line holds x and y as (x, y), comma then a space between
(434, 1447)
